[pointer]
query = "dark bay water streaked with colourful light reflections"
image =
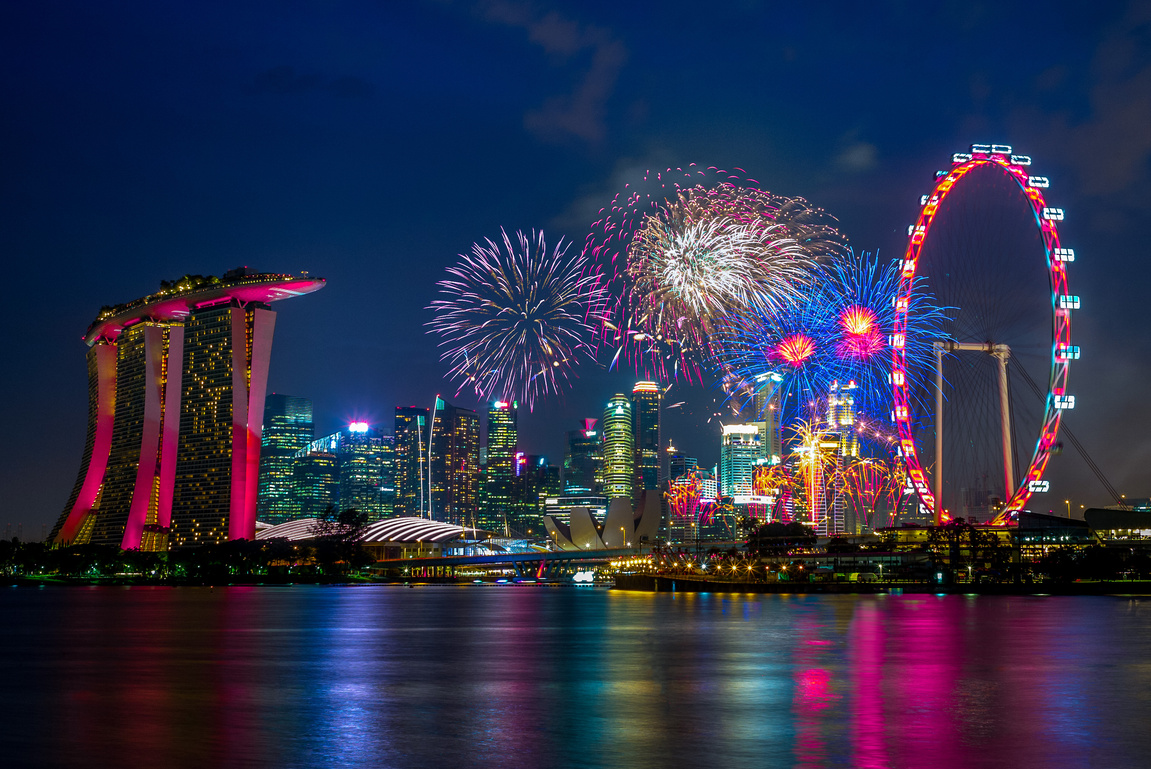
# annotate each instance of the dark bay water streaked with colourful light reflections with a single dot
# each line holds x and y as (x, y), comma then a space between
(532, 676)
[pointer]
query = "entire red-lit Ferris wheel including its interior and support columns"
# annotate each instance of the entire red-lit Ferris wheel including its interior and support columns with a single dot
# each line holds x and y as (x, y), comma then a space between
(1000, 269)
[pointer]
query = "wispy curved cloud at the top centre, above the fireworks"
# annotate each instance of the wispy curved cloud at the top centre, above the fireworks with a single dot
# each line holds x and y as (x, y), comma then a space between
(580, 115)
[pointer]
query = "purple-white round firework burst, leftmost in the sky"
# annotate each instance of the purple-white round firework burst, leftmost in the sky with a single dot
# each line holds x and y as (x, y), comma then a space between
(514, 317)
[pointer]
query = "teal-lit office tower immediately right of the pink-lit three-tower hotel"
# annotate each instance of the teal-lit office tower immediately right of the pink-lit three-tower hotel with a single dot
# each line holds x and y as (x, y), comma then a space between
(288, 428)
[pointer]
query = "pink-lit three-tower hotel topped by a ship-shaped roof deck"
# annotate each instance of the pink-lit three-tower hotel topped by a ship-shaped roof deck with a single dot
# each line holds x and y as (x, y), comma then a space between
(177, 385)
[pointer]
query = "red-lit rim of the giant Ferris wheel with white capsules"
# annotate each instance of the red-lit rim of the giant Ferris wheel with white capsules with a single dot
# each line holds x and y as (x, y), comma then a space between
(1016, 167)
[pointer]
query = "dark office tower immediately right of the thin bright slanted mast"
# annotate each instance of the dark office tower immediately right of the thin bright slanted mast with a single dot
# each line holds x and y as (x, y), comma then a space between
(455, 459)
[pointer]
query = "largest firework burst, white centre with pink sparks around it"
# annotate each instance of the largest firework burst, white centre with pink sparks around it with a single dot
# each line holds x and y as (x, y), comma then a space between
(688, 247)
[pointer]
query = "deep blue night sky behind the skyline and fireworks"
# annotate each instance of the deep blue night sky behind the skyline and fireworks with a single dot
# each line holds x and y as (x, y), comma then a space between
(371, 143)
